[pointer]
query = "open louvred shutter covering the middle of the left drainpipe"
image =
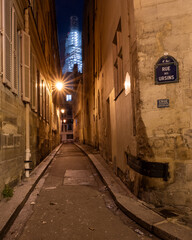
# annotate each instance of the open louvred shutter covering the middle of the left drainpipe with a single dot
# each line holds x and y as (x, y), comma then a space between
(26, 66)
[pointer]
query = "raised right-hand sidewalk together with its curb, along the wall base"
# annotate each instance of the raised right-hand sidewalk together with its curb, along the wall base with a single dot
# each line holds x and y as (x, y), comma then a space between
(147, 217)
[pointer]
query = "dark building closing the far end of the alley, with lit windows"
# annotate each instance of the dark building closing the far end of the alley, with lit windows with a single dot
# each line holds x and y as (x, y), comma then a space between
(71, 103)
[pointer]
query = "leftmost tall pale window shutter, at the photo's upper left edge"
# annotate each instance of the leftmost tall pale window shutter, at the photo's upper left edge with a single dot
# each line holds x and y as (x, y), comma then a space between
(6, 7)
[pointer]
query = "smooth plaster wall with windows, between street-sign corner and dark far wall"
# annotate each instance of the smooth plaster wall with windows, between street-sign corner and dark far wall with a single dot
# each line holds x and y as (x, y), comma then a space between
(115, 125)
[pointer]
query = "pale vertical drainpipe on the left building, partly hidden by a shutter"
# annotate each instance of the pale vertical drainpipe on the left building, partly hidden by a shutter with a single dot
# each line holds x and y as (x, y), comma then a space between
(27, 110)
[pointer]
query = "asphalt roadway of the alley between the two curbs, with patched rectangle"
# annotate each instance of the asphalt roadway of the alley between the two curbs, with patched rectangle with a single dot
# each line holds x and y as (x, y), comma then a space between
(71, 202)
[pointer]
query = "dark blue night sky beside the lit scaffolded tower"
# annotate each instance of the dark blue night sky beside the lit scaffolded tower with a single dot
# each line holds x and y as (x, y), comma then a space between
(64, 10)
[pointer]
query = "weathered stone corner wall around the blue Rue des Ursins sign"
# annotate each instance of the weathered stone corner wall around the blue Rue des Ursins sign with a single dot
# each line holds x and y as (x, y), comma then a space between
(163, 27)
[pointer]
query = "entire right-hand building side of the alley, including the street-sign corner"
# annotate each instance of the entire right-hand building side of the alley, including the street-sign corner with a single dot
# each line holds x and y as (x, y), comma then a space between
(141, 126)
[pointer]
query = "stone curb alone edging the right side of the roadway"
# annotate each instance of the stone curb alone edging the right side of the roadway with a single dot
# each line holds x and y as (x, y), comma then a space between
(141, 214)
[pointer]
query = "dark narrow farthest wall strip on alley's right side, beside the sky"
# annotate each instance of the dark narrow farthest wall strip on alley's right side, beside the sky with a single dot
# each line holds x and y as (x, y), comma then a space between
(88, 75)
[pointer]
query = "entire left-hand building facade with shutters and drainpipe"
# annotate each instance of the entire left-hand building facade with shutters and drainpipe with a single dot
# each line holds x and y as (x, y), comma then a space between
(29, 64)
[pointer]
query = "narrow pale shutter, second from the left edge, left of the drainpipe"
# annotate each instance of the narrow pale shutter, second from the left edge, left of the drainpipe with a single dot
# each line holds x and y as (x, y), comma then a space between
(14, 53)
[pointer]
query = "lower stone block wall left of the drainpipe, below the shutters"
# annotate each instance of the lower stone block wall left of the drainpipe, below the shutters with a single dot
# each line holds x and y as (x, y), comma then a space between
(12, 138)
